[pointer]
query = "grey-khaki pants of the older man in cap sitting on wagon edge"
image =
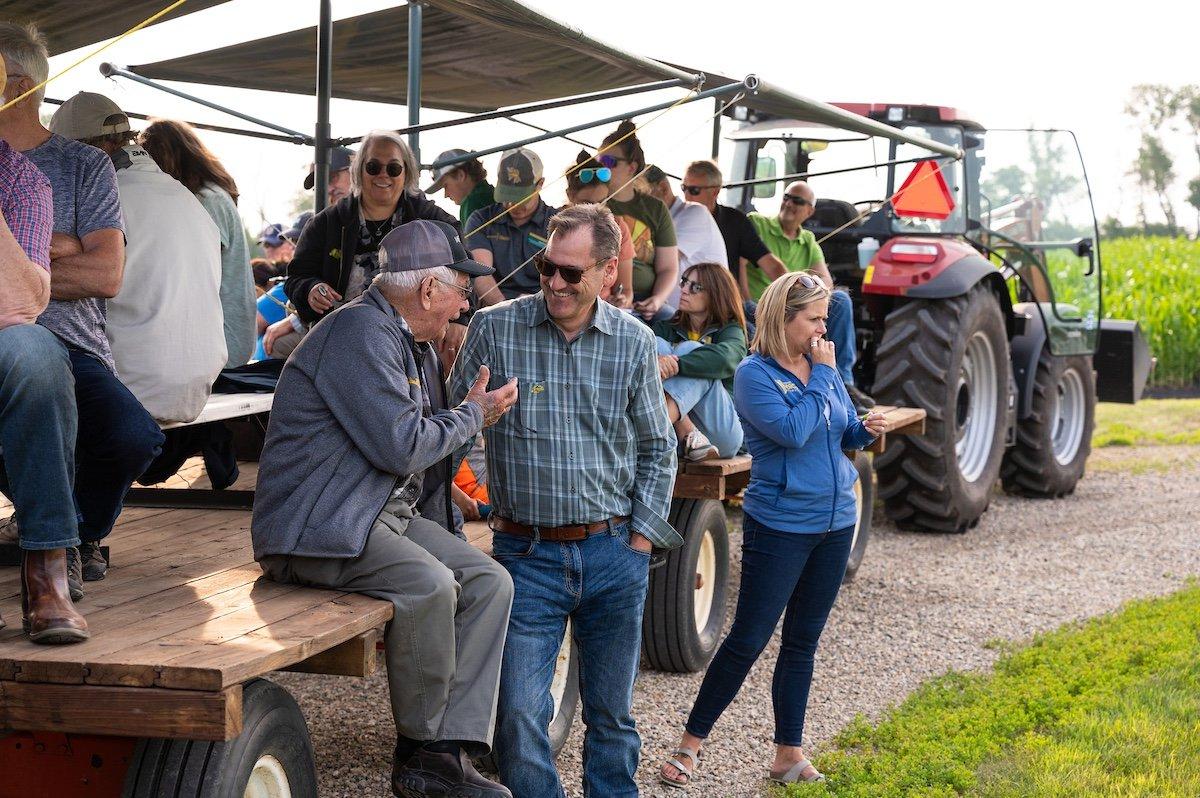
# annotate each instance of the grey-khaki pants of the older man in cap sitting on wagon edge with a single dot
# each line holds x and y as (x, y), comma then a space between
(447, 638)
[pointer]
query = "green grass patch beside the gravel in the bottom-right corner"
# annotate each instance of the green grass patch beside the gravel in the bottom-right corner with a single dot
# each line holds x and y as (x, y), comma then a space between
(1103, 709)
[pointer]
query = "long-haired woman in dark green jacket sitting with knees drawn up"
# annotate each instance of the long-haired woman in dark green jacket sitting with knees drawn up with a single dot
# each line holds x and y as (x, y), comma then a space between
(699, 352)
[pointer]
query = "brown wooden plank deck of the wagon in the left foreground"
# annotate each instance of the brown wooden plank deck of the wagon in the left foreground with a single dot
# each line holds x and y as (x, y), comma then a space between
(182, 621)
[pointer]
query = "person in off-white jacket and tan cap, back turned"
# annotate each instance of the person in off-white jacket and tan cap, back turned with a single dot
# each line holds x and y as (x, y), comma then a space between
(166, 326)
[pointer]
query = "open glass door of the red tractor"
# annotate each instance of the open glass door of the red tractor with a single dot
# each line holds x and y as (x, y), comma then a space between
(1036, 213)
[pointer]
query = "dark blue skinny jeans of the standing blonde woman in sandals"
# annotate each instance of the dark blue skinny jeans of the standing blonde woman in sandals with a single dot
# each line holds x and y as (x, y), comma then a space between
(793, 574)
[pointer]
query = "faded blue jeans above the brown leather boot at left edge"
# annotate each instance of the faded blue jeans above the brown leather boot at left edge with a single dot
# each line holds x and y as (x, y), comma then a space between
(38, 435)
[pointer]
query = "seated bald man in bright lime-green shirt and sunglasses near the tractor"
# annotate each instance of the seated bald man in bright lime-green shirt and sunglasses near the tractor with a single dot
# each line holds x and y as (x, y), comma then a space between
(799, 249)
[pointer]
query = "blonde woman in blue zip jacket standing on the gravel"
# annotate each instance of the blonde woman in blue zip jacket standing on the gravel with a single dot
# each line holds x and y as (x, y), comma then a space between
(799, 518)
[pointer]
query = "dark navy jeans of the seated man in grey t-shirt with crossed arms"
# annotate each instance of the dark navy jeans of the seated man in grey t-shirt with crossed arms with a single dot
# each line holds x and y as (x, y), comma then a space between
(118, 440)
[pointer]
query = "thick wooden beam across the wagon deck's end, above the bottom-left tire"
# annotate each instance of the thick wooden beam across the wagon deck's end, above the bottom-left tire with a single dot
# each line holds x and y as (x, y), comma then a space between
(127, 712)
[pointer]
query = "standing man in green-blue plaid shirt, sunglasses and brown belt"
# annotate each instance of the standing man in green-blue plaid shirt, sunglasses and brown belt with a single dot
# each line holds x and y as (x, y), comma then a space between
(581, 475)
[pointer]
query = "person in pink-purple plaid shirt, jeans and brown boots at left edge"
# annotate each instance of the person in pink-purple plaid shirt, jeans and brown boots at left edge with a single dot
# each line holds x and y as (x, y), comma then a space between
(38, 435)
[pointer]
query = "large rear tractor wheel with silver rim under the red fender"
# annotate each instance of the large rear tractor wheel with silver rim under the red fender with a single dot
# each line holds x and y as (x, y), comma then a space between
(951, 358)
